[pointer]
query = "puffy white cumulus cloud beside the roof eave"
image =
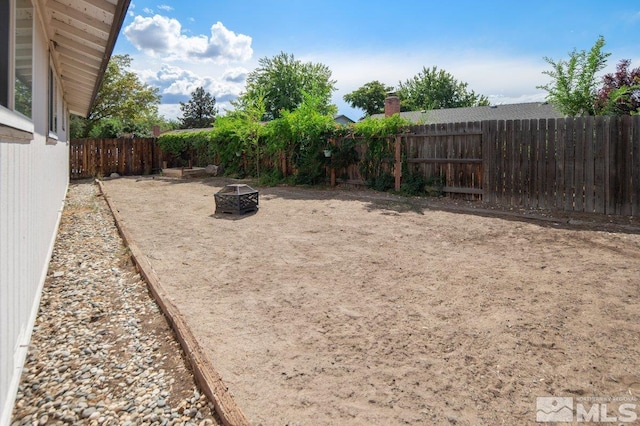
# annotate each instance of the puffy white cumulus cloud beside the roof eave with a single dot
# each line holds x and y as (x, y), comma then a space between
(160, 36)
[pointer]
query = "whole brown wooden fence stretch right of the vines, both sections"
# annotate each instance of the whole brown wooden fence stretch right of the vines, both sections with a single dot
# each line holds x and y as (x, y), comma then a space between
(586, 164)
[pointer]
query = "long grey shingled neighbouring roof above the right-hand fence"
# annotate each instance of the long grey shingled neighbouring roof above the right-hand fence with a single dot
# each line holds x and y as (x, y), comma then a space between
(530, 110)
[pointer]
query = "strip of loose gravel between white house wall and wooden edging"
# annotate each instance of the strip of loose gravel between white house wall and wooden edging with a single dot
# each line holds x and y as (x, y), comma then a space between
(101, 352)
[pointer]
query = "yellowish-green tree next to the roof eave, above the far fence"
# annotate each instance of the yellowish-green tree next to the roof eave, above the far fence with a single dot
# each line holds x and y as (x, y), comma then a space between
(122, 97)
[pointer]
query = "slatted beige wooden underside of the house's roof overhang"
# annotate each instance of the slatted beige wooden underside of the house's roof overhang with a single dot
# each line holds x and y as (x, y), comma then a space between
(83, 34)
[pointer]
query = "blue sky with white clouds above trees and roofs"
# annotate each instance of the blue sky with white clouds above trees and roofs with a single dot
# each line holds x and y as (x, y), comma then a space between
(497, 47)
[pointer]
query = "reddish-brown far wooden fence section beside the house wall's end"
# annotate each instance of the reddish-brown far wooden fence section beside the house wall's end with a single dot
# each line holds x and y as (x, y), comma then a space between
(125, 156)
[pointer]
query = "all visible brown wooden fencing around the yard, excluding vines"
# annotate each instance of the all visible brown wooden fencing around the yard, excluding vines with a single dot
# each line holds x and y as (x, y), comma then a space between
(586, 164)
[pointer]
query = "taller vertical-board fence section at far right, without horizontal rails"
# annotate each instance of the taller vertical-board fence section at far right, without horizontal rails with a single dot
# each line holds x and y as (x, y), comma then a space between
(589, 164)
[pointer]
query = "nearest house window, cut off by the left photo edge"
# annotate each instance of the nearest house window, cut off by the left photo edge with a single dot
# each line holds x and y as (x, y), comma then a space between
(16, 55)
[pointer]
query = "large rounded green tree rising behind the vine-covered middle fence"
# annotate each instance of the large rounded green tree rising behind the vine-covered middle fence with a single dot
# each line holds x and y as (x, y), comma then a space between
(282, 80)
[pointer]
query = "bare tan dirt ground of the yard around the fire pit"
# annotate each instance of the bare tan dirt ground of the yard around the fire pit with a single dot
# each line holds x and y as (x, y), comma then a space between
(360, 308)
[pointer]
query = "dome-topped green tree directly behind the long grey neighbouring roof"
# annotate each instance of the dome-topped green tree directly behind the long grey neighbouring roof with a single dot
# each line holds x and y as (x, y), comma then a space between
(434, 89)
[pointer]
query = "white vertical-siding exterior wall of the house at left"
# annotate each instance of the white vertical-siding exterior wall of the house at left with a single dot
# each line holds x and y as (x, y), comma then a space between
(34, 170)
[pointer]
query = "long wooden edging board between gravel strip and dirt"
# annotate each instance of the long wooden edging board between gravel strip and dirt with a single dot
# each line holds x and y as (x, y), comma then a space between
(206, 376)
